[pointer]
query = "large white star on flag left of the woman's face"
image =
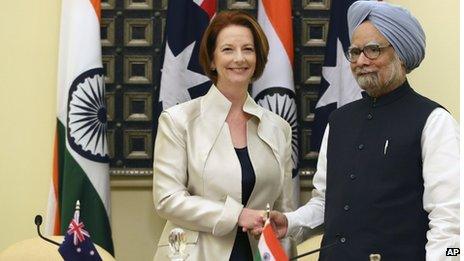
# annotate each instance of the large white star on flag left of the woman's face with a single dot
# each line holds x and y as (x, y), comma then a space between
(177, 78)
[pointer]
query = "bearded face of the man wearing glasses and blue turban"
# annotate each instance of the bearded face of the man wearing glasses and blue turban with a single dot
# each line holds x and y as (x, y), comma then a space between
(377, 76)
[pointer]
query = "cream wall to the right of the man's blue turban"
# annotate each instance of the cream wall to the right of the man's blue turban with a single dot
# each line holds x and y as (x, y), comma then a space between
(438, 75)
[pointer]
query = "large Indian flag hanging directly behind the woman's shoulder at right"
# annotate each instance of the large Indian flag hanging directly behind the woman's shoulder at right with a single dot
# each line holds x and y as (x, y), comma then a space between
(275, 89)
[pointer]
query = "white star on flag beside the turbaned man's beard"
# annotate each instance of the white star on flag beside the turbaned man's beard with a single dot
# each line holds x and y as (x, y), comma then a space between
(343, 88)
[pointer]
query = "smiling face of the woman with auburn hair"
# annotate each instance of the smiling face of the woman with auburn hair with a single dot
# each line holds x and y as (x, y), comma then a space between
(234, 58)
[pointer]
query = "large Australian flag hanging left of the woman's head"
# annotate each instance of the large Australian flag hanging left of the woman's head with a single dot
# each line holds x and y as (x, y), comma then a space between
(182, 77)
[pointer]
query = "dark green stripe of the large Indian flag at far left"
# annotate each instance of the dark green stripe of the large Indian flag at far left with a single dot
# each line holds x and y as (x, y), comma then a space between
(75, 185)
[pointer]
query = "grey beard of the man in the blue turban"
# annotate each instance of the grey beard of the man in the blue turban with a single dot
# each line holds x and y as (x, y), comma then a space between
(371, 83)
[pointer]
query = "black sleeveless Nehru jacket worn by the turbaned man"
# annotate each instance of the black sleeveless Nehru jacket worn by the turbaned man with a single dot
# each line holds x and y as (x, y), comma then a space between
(374, 178)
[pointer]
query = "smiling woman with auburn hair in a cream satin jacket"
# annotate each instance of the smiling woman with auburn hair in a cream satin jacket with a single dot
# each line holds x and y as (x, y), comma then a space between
(220, 158)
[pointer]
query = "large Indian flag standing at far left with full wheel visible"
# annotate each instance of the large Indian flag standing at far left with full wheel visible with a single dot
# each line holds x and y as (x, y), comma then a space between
(80, 164)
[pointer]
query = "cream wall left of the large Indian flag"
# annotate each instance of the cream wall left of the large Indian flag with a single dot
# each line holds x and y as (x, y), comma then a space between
(28, 53)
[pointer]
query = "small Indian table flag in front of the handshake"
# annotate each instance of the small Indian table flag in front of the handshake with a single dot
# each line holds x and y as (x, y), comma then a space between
(269, 247)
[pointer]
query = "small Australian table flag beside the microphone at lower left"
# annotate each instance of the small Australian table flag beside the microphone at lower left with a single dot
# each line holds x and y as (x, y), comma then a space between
(77, 245)
